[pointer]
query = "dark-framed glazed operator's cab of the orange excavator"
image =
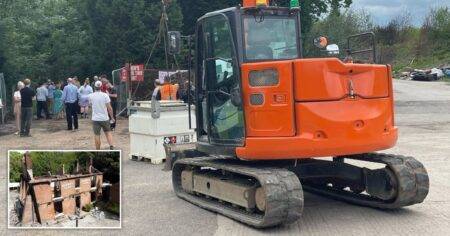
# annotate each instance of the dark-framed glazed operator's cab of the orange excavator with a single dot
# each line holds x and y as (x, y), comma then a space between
(224, 41)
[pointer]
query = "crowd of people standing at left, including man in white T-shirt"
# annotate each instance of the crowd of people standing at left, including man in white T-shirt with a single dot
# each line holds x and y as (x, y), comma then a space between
(51, 98)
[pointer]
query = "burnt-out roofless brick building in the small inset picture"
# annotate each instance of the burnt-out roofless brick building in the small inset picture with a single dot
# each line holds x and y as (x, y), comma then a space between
(44, 198)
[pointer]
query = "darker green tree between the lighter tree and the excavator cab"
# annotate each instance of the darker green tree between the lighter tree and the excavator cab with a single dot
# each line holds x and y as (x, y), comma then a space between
(124, 31)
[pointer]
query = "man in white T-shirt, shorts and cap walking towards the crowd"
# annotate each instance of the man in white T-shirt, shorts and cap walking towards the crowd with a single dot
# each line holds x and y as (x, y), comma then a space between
(101, 107)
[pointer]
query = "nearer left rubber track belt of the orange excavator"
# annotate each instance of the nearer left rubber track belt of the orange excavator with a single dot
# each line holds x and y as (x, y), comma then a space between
(282, 189)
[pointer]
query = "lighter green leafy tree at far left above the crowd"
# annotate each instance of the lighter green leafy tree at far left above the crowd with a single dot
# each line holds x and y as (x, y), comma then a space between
(44, 41)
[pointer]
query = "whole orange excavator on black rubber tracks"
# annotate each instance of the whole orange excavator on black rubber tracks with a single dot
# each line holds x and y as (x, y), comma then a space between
(272, 124)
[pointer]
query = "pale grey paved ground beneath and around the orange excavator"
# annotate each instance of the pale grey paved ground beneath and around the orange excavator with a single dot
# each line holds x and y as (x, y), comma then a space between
(150, 207)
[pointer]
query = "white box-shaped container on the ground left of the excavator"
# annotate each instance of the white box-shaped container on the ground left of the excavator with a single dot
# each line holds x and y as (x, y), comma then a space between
(153, 125)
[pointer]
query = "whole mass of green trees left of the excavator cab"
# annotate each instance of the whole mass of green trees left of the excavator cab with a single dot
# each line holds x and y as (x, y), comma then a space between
(57, 39)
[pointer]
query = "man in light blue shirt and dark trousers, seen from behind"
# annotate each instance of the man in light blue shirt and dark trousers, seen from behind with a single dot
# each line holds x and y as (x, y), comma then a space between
(69, 98)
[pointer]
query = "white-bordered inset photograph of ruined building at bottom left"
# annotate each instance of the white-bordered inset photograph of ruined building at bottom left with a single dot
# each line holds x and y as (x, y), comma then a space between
(64, 189)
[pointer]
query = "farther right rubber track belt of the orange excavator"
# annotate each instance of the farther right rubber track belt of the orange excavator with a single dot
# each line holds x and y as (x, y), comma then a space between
(411, 185)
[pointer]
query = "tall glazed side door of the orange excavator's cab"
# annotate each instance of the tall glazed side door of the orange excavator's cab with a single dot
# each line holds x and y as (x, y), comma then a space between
(219, 100)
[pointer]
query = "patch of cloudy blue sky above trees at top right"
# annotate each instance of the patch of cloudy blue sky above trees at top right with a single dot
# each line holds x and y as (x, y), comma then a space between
(382, 11)
